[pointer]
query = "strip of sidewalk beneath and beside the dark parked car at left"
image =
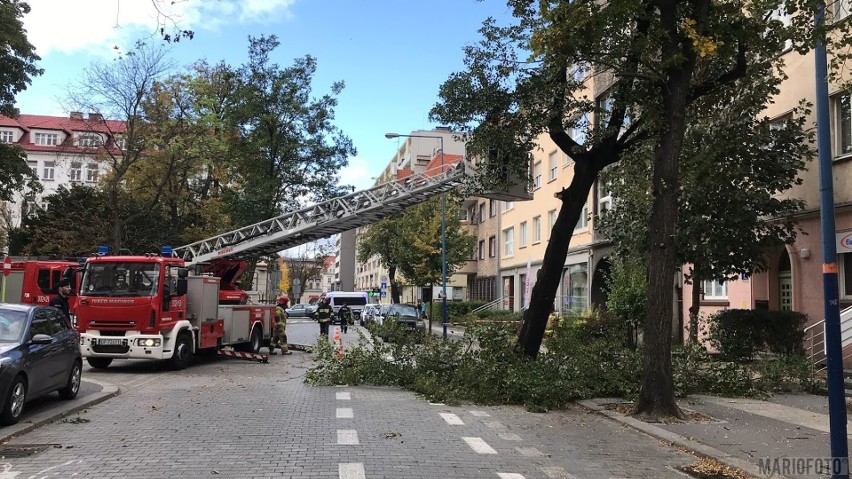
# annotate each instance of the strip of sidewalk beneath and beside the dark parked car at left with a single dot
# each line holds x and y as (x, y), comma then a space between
(50, 408)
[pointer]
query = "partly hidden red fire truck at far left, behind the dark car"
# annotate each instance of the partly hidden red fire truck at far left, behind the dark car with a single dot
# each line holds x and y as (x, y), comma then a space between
(35, 281)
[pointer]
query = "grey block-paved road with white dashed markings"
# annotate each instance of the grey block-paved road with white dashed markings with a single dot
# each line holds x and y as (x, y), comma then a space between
(228, 418)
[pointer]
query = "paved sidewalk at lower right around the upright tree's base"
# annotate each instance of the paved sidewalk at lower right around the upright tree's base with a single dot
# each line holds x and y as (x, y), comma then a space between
(743, 433)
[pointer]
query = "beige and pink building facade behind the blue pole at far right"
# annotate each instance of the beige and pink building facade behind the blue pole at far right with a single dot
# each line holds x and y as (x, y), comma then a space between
(794, 278)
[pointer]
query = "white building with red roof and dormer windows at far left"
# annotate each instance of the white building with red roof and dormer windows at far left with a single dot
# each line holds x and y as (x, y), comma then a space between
(62, 151)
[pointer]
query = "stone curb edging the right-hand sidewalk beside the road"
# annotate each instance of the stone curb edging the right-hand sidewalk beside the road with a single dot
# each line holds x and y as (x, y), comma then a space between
(695, 447)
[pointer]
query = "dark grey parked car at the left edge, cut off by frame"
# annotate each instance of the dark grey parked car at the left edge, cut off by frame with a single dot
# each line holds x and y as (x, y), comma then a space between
(39, 354)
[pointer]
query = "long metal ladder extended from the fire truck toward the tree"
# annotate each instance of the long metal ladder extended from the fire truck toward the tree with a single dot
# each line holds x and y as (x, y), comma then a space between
(325, 219)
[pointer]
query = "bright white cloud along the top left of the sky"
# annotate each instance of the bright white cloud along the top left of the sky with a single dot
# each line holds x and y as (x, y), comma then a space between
(95, 27)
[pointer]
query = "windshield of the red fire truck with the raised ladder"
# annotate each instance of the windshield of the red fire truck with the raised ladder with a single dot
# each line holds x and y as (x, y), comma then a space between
(120, 279)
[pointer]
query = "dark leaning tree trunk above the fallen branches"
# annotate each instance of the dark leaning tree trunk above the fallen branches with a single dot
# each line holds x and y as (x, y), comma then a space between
(547, 281)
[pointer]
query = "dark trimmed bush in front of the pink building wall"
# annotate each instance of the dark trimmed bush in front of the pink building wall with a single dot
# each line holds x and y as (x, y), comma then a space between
(739, 334)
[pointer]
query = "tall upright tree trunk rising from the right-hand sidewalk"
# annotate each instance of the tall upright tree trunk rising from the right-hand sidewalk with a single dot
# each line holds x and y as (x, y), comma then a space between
(656, 393)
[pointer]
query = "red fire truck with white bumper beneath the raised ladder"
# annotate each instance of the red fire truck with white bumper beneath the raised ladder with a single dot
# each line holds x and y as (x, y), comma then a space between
(152, 307)
